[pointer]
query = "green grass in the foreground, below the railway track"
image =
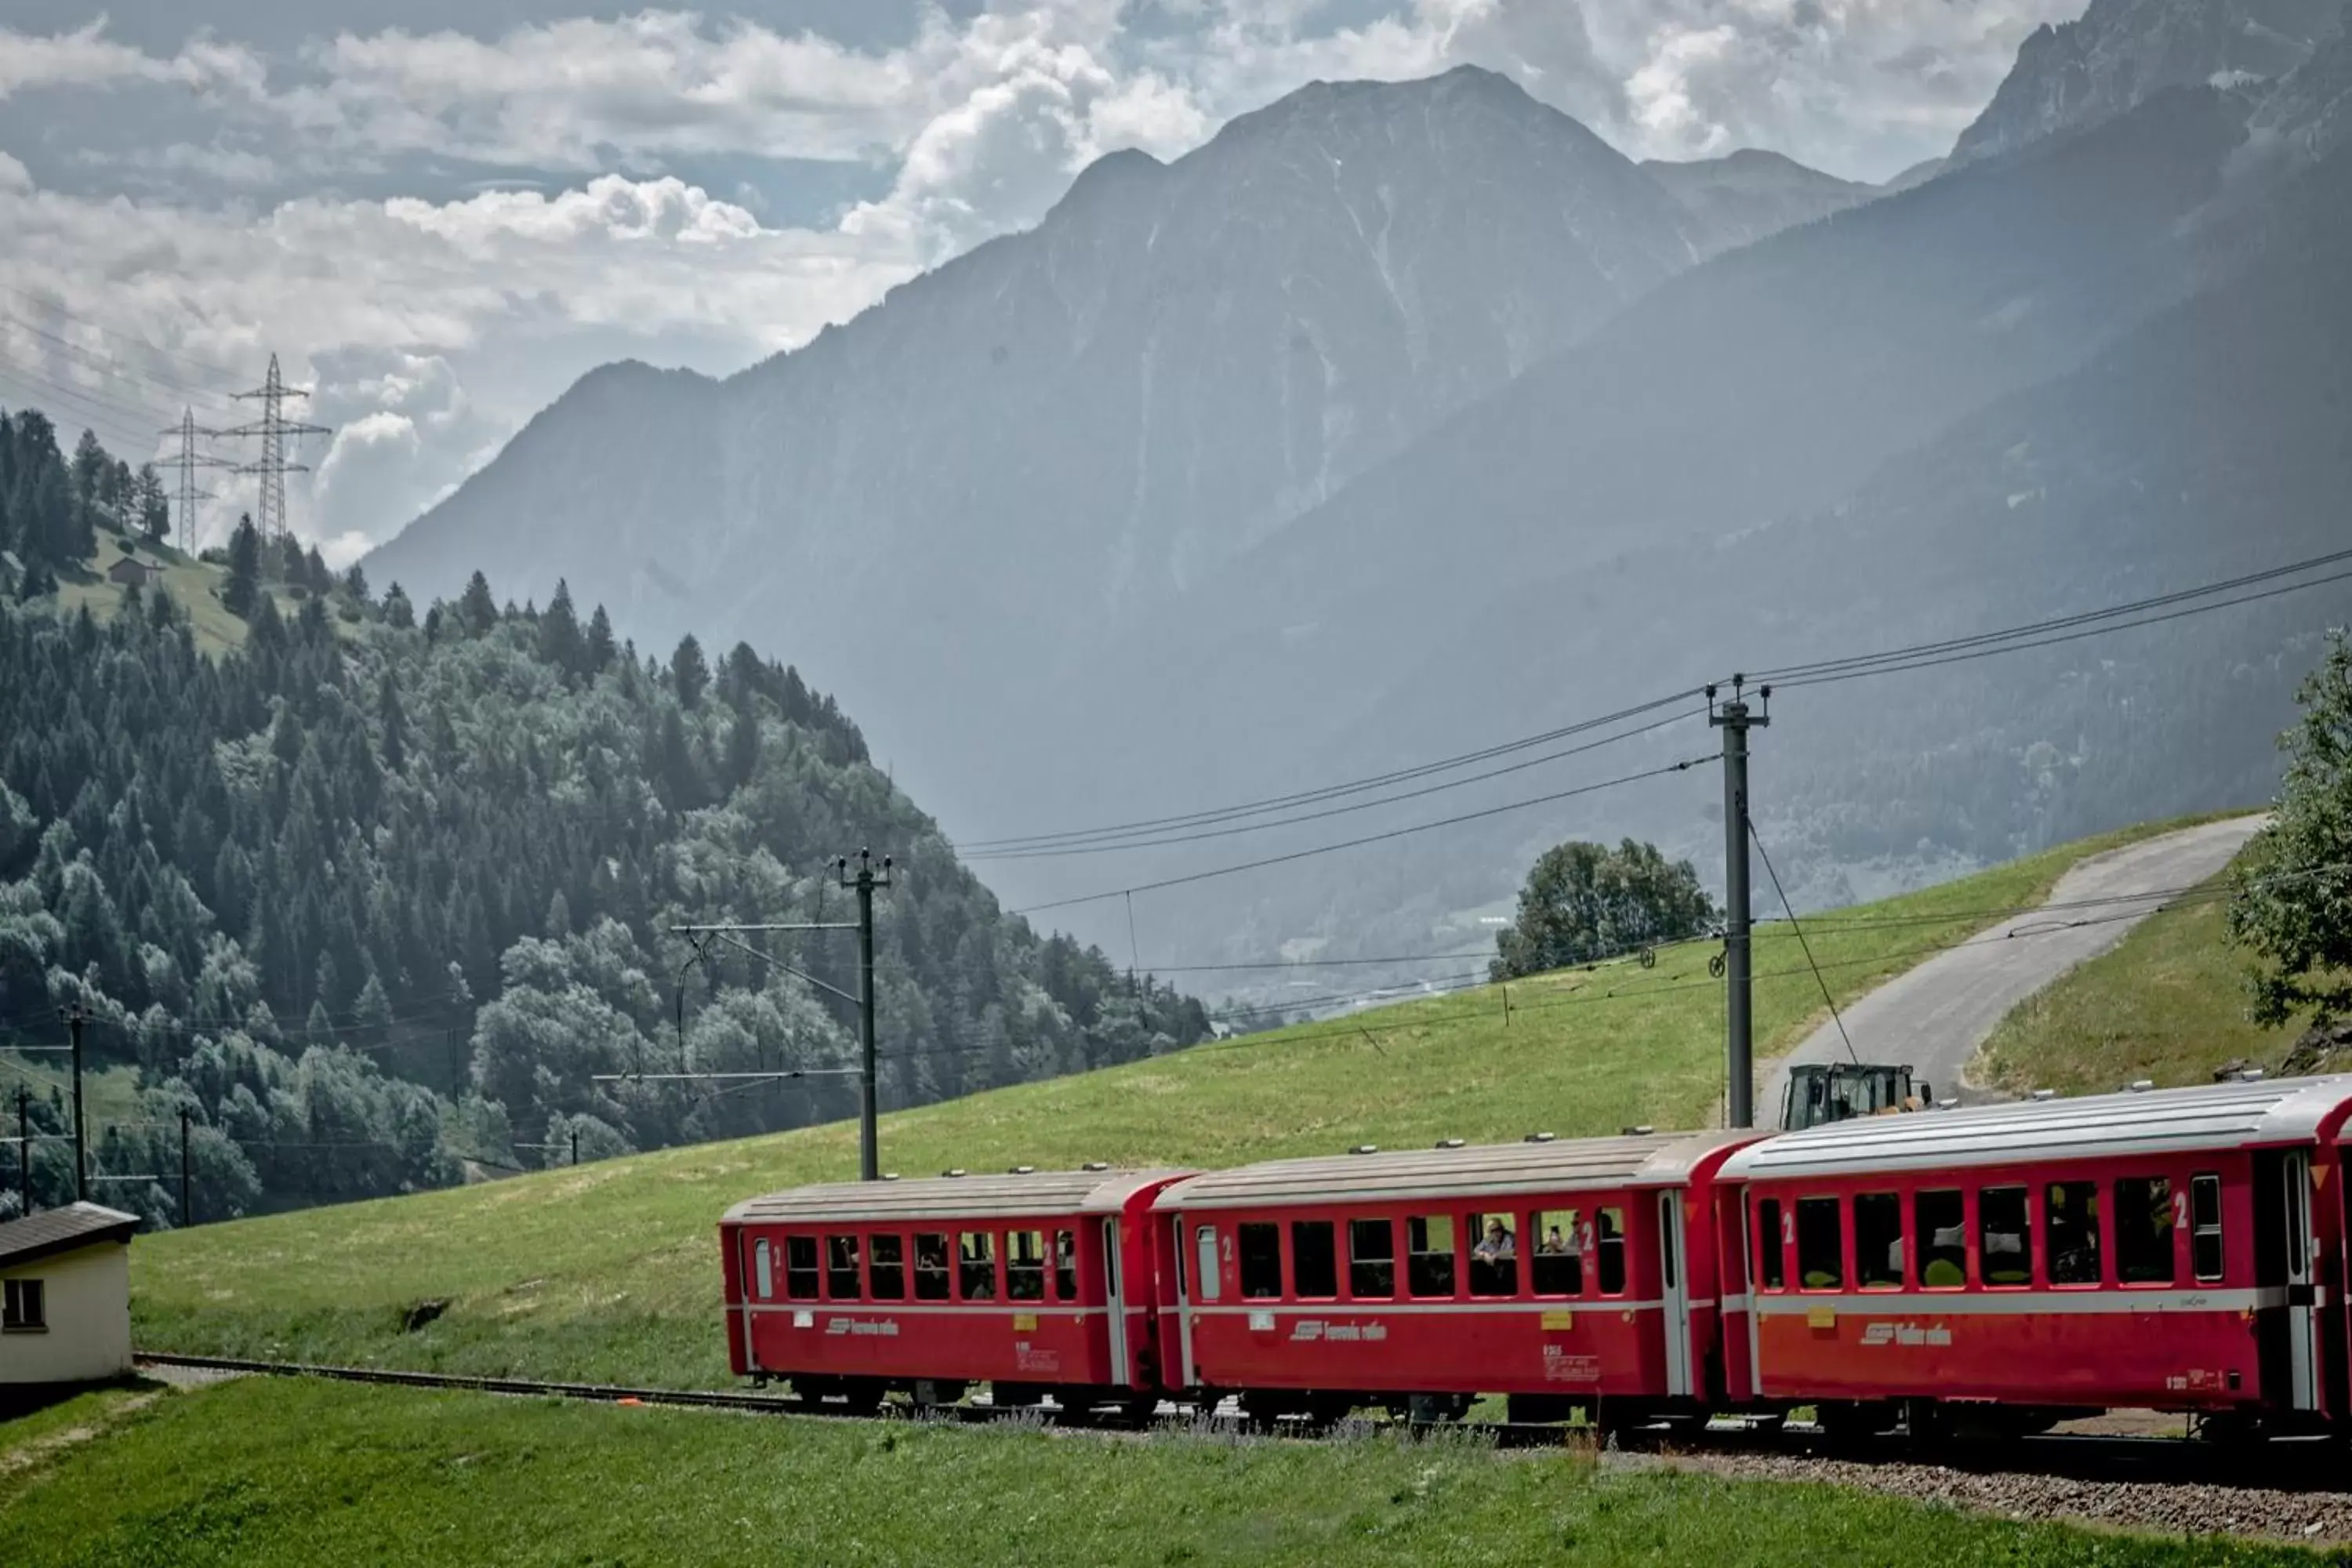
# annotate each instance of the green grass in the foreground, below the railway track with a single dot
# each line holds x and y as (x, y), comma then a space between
(267, 1473)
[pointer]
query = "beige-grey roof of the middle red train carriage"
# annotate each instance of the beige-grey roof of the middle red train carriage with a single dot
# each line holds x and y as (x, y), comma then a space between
(1495, 1170)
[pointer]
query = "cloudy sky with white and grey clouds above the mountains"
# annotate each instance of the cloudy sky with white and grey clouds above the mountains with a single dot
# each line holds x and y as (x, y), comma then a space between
(441, 213)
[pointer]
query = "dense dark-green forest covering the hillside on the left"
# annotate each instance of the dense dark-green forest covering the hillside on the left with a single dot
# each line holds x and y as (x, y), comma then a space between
(385, 892)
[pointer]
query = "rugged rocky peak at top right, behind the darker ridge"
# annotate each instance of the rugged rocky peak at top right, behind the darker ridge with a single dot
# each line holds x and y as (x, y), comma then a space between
(2123, 53)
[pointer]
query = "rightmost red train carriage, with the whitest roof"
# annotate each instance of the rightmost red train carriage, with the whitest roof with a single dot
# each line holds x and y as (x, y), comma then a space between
(2017, 1264)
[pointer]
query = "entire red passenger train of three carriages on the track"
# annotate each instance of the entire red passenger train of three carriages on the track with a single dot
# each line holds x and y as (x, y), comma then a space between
(1970, 1271)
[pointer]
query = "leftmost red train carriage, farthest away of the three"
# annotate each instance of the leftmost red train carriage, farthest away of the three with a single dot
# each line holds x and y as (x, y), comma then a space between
(1031, 1282)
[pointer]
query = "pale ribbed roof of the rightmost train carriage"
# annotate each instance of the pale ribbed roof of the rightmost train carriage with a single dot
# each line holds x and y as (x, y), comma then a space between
(2090, 1127)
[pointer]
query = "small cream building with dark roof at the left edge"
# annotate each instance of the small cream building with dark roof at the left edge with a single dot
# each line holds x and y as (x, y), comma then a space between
(67, 1296)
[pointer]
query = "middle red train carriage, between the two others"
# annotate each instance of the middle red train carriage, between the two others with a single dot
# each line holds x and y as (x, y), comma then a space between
(1561, 1273)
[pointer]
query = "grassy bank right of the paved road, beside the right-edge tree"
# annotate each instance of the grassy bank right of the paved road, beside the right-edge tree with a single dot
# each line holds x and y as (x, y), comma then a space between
(2167, 1005)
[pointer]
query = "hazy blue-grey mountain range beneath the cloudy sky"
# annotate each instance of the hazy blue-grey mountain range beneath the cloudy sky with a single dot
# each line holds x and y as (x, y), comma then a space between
(1405, 417)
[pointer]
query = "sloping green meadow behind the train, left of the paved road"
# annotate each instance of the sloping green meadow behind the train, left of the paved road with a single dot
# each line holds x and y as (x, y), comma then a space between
(610, 1273)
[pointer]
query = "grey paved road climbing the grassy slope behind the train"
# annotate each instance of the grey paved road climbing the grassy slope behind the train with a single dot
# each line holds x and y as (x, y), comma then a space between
(1939, 1014)
